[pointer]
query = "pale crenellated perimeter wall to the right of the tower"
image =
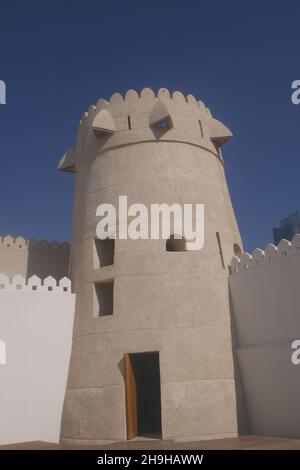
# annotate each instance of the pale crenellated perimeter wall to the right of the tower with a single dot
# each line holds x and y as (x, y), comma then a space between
(265, 293)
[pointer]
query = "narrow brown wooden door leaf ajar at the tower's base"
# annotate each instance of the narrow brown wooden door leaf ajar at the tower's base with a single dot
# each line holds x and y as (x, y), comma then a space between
(131, 398)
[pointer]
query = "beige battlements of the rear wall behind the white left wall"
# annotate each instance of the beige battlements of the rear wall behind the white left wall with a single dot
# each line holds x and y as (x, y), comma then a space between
(21, 243)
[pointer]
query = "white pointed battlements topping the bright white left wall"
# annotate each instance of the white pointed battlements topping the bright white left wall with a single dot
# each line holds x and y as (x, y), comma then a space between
(34, 284)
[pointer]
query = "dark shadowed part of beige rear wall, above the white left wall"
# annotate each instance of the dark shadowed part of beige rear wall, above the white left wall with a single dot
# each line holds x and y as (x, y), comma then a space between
(47, 262)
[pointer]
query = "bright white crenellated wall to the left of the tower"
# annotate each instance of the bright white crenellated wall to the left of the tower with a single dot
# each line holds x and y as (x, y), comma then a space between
(36, 327)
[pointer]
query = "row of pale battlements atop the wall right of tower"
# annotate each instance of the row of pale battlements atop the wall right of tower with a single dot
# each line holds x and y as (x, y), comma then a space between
(271, 254)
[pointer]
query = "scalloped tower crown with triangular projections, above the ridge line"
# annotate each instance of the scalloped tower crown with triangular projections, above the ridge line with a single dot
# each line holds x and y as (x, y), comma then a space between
(145, 117)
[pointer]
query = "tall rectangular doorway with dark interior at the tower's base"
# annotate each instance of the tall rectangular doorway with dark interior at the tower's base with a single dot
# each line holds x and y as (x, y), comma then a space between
(143, 401)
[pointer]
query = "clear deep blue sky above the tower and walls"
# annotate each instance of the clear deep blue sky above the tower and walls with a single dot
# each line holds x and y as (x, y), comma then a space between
(58, 57)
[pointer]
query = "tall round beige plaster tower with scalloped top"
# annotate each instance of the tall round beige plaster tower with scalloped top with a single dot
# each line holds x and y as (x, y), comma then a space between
(152, 348)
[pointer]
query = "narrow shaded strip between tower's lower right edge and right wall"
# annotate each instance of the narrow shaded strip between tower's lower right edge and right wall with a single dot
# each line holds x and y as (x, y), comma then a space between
(243, 422)
